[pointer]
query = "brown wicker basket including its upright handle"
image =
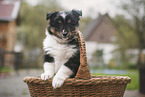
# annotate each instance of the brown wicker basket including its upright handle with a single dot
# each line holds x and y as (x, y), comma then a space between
(82, 85)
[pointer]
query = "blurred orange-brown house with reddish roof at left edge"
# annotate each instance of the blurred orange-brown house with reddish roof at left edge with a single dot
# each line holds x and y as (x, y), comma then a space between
(9, 19)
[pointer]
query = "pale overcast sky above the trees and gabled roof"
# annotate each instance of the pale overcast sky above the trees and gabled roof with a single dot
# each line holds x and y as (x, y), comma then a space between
(90, 7)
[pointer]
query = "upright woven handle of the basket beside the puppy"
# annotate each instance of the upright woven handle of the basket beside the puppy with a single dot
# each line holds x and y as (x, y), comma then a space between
(83, 71)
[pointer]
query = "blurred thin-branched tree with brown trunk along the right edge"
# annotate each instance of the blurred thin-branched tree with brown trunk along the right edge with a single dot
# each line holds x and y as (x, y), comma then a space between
(136, 10)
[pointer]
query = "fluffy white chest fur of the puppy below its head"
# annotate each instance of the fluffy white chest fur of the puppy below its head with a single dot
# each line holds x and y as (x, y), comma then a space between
(60, 52)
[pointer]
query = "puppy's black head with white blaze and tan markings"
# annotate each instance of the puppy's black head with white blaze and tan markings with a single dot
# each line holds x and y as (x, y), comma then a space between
(63, 24)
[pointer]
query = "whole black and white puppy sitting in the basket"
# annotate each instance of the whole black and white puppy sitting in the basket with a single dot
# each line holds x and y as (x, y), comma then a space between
(61, 47)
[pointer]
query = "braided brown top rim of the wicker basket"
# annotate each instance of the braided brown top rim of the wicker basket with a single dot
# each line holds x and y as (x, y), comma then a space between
(72, 81)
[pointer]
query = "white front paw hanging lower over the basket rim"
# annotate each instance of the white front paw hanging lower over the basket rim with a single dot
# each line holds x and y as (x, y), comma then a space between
(57, 82)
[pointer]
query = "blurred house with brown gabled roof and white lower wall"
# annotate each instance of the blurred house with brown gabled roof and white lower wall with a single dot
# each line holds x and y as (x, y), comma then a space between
(99, 35)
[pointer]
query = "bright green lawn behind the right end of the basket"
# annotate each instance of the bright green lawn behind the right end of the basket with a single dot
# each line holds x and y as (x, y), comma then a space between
(133, 74)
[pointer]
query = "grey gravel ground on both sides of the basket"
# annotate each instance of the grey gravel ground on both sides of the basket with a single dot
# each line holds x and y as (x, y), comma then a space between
(13, 85)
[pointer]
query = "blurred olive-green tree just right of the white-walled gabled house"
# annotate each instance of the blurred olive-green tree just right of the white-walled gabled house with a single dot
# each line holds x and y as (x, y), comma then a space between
(124, 36)
